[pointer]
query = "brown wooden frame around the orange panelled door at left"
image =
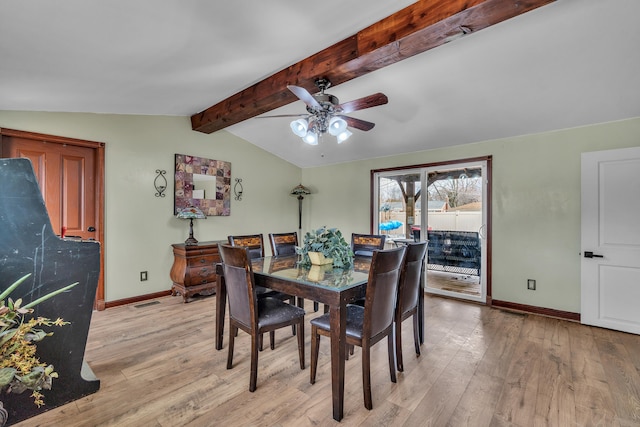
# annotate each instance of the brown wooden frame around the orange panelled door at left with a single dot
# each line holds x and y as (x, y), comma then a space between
(98, 148)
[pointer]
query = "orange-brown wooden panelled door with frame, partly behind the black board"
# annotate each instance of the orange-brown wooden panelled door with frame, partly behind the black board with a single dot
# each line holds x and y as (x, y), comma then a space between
(69, 173)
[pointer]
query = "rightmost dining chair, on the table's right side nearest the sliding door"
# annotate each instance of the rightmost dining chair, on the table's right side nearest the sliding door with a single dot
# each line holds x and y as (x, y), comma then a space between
(409, 289)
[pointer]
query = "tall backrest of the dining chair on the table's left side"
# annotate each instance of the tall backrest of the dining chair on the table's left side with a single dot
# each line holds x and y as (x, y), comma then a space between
(239, 282)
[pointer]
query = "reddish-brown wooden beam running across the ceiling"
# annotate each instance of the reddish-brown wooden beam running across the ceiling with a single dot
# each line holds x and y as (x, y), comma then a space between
(415, 29)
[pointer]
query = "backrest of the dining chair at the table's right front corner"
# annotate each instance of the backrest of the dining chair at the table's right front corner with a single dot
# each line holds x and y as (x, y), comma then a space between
(382, 290)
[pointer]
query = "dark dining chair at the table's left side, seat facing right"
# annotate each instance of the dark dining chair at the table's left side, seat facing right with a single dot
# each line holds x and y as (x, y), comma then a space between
(251, 314)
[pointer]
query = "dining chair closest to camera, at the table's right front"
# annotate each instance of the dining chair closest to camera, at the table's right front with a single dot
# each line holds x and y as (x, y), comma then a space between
(365, 326)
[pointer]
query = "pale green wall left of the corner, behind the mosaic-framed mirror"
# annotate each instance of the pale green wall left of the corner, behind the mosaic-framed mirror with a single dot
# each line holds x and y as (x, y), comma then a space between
(139, 227)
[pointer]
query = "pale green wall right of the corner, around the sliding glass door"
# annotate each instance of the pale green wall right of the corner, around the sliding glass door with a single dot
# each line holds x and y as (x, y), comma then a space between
(535, 208)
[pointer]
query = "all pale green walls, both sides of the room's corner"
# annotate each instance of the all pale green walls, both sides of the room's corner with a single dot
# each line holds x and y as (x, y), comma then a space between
(536, 197)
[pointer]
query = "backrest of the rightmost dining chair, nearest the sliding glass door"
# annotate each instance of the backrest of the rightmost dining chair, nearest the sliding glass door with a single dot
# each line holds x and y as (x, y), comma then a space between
(409, 287)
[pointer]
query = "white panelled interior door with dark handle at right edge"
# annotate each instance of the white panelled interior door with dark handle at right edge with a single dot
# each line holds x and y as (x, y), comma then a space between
(610, 267)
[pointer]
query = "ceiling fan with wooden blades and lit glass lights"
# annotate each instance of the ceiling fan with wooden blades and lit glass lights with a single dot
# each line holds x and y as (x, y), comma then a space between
(326, 114)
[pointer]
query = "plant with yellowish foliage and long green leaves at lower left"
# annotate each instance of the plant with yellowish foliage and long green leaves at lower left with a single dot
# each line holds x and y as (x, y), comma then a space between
(20, 369)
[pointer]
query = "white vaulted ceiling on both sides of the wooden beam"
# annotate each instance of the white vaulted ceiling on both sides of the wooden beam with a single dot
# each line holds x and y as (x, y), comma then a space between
(567, 64)
